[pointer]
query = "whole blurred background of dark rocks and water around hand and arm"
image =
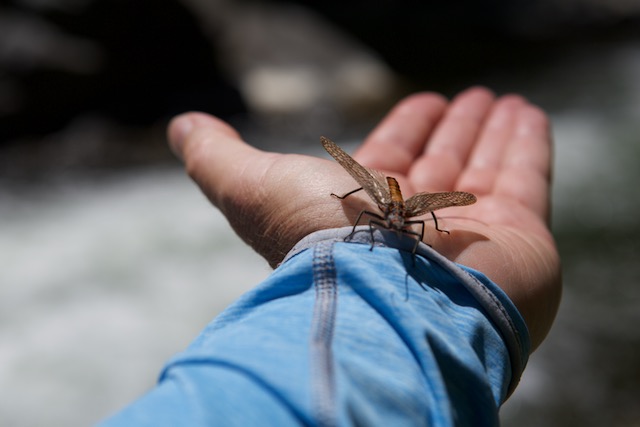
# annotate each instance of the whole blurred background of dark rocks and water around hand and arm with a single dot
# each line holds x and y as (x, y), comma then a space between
(111, 261)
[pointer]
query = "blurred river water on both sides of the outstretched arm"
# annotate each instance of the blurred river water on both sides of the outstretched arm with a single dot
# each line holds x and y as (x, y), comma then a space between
(102, 279)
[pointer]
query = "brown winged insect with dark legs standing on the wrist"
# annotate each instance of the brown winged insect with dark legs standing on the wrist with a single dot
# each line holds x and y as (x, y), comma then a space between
(385, 191)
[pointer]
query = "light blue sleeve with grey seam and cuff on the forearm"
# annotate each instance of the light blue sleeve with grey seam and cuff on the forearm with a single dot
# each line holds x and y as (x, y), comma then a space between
(343, 335)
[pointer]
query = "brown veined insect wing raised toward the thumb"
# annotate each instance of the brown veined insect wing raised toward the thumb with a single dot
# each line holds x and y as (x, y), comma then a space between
(372, 182)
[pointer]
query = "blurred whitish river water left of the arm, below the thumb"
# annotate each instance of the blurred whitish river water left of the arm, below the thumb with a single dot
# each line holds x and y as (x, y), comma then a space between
(101, 283)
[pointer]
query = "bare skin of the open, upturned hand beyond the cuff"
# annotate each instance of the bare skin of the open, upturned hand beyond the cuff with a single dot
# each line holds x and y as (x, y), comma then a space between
(498, 148)
